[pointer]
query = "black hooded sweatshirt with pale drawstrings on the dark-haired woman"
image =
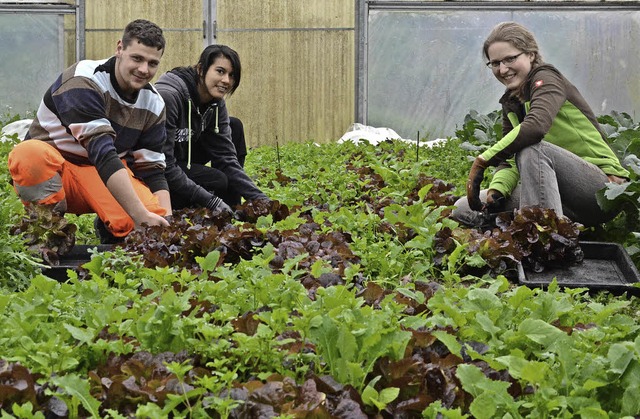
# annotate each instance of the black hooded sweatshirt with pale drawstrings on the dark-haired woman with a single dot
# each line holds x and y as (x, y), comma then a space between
(198, 133)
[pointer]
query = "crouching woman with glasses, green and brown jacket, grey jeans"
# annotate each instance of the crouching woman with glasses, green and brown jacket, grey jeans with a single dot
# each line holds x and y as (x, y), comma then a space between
(553, 153)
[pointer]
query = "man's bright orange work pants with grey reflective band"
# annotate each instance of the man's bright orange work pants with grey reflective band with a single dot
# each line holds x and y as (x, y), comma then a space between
(42, 176)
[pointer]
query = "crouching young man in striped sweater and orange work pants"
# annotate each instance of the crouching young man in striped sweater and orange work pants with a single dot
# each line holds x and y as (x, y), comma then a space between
(95, 145)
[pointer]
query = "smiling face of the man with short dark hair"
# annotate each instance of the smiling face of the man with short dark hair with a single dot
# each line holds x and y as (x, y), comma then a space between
(136, 65)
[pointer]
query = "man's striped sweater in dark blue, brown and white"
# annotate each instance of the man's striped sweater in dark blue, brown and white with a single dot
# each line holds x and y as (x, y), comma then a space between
(84, 116)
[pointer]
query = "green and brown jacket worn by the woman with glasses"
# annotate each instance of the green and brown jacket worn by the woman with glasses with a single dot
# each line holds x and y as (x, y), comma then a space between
(553, 110)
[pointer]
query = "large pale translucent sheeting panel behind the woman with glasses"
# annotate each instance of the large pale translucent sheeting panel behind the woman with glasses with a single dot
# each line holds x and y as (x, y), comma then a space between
(425, 69)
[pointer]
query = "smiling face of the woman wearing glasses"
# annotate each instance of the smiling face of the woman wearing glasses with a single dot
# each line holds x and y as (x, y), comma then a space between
(510, 71)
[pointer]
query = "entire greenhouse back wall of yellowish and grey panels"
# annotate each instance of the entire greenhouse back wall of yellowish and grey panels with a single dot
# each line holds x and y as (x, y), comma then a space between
(311, 69)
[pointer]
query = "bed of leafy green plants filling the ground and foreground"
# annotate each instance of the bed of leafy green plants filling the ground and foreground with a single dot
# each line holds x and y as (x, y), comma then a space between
(399, 330)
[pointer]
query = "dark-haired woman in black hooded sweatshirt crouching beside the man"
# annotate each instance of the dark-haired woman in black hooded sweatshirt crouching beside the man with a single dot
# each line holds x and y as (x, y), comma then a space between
(205, 148)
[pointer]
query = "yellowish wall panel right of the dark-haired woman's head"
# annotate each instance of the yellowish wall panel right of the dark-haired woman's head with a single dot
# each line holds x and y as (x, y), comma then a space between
(298, 67)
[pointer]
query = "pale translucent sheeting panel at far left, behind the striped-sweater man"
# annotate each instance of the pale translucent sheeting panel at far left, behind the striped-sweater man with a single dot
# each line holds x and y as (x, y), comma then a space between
(31, 57)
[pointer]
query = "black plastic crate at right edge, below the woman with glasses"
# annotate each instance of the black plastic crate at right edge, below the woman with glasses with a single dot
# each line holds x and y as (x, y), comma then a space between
(606, 267)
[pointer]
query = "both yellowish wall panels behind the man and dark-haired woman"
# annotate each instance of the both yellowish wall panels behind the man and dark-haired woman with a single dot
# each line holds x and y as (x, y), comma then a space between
(298, 58)
